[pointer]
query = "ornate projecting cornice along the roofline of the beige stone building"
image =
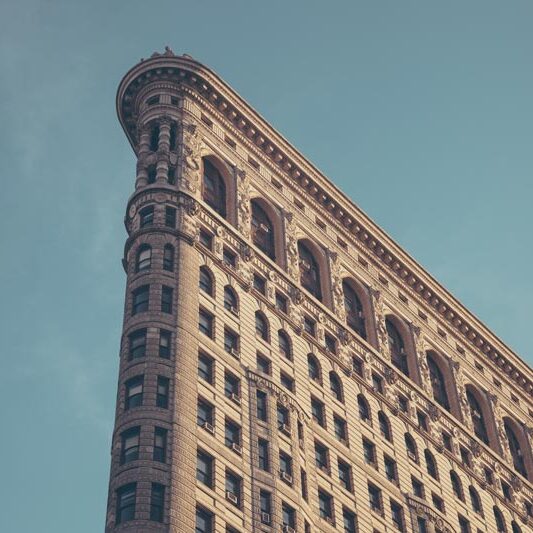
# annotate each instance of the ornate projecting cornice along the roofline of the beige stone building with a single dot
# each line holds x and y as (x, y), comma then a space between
(190, 75)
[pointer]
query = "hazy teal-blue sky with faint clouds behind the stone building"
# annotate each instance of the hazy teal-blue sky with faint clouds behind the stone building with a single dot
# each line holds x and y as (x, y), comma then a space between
(420, 111)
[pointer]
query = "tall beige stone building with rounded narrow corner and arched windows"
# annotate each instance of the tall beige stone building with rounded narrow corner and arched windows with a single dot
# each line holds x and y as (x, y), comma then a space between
(284, 365)
